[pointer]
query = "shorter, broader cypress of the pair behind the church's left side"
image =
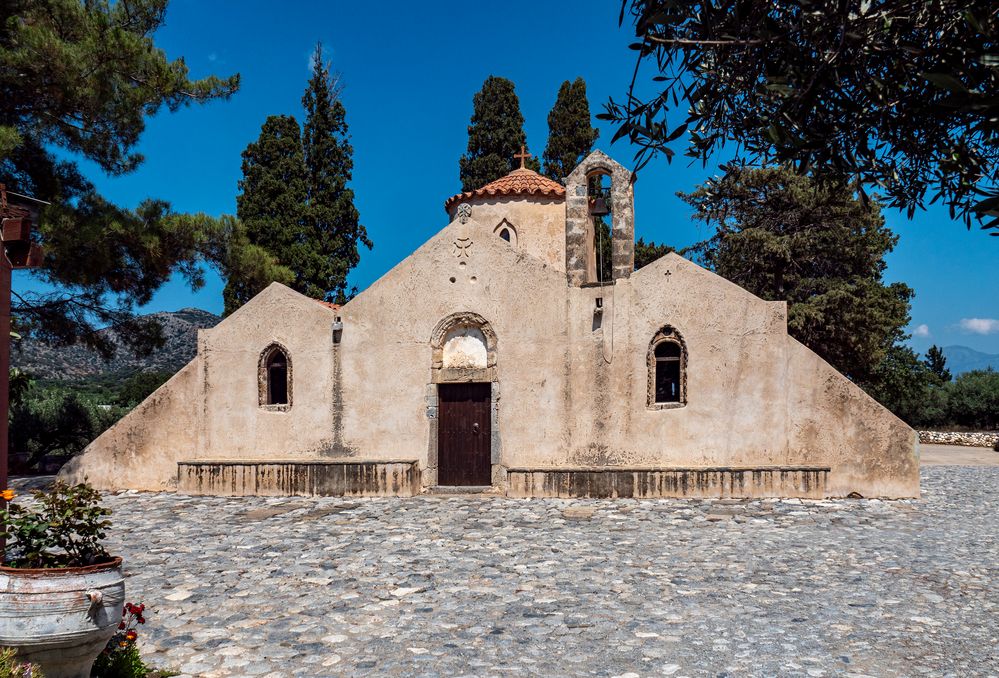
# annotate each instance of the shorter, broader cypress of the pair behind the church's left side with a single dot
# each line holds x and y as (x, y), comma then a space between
(271, 206)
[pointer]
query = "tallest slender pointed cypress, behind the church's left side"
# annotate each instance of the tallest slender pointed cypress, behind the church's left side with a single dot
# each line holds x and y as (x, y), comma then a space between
(332, 227)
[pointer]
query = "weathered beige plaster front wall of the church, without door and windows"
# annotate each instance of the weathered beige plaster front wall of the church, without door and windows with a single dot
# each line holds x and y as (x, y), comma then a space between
(574, 379)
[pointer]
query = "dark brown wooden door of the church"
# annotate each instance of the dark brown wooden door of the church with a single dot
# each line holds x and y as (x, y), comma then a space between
(463, 435)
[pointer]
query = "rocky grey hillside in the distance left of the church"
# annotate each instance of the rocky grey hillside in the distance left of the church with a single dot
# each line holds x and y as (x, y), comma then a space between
(180, 329)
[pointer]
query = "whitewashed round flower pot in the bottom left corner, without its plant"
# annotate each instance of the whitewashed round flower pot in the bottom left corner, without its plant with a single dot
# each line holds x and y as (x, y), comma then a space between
(61, 618)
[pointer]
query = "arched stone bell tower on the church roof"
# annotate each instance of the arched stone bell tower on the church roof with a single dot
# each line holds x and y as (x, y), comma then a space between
(581, 209)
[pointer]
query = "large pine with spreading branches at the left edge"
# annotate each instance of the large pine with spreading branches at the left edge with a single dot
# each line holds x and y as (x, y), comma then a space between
(79, 80)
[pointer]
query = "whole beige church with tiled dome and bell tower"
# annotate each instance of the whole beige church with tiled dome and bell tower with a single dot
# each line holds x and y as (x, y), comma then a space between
(496, 358)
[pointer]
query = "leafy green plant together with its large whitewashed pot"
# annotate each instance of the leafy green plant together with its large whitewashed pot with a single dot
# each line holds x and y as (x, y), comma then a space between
(61, 592)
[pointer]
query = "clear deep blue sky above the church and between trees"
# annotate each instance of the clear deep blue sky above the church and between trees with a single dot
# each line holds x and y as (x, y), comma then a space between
(410, 70)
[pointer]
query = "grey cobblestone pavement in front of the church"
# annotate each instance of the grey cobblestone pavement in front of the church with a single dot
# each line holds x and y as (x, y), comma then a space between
(473, 586)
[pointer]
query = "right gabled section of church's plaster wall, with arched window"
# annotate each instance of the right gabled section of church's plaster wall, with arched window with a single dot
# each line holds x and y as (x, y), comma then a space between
(754, 395)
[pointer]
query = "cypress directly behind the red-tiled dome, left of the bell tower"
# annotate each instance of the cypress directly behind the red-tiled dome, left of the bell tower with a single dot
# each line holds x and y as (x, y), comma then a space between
(495, 135)
